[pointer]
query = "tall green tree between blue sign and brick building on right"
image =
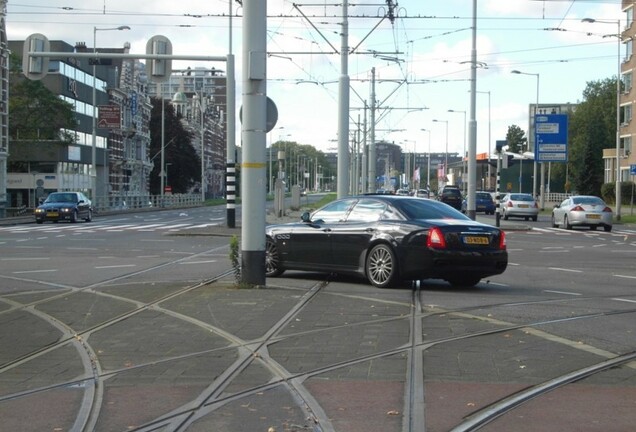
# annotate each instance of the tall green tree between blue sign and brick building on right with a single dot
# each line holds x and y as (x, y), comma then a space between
(593, 128)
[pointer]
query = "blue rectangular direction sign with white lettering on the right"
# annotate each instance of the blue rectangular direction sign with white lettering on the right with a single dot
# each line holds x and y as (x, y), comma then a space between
(551, 138)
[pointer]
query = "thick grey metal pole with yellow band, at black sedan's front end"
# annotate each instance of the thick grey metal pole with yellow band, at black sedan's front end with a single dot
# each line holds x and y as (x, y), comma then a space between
(253, 127)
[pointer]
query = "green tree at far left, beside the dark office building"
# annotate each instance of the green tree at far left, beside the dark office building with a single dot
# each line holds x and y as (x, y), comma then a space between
(35, 112)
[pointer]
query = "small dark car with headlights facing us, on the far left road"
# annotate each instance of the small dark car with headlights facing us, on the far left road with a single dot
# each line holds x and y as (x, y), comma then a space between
(70, 206)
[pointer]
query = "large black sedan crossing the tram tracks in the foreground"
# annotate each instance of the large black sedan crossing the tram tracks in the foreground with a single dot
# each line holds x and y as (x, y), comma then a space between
(388, 239)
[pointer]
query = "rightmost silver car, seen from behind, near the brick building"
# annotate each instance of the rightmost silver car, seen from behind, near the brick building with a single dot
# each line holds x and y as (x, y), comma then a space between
(582, 210)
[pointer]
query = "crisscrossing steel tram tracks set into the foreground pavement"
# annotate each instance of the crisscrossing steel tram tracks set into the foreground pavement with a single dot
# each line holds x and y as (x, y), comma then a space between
(257, 350)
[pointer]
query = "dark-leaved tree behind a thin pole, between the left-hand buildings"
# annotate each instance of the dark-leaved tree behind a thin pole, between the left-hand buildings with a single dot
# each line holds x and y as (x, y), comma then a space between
(184, 169)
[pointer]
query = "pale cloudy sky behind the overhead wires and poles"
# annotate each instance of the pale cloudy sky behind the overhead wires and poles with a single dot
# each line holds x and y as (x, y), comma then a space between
(427, 45)
